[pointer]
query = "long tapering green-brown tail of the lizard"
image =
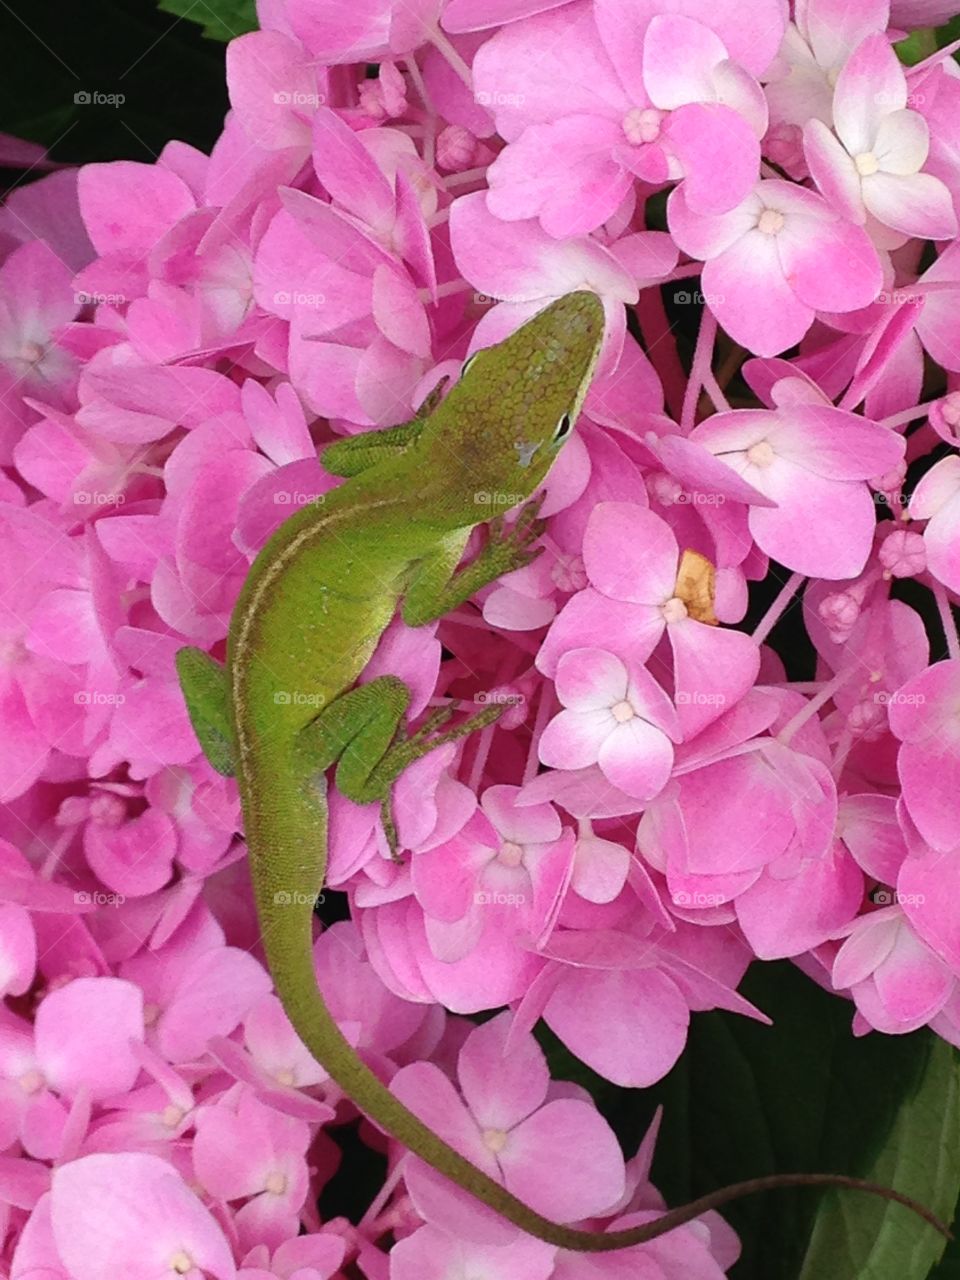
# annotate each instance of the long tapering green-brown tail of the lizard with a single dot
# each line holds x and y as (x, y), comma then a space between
(287, 839)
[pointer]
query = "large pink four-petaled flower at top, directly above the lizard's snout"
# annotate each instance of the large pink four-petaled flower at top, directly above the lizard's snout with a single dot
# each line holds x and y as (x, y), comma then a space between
(579, 157)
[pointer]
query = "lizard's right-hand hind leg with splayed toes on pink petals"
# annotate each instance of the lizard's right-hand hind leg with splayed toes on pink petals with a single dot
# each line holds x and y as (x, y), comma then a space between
(364, 733)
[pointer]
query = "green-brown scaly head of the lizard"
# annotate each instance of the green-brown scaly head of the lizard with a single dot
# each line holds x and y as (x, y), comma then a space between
(515, 405)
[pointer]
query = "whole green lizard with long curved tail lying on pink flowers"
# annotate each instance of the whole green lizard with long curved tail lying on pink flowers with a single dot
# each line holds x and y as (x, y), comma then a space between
(310, 615)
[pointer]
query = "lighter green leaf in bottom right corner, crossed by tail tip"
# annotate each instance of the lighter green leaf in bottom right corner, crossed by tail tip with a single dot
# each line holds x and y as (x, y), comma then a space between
(874, 1240)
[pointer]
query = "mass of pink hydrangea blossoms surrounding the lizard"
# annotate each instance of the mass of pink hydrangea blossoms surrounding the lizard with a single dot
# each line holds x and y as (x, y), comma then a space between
(396, 186)
